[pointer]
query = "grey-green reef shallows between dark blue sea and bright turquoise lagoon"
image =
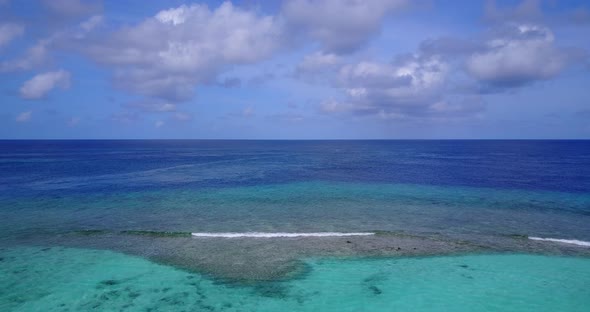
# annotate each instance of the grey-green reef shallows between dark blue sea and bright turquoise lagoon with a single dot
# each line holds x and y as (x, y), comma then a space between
(409, 219)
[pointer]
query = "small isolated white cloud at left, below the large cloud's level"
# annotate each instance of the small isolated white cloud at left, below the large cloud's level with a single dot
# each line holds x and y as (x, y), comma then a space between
(38, 86)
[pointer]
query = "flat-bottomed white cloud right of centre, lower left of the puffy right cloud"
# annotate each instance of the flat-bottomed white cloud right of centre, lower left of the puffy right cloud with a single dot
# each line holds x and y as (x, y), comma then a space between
(411, 87)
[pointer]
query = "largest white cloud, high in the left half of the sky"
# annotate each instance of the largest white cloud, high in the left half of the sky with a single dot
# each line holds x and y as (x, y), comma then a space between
(167, 55)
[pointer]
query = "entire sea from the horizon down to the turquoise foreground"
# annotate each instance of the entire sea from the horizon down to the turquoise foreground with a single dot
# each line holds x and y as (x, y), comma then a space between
(314, 225)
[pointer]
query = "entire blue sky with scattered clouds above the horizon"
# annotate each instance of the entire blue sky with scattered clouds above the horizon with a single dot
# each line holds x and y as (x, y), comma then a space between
(294, 69)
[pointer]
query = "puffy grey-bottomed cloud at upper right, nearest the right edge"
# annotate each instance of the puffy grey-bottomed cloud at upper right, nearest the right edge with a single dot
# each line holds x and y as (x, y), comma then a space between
(526, 53)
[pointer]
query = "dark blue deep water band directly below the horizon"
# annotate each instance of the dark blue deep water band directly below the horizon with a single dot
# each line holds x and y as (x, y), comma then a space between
(529, 165)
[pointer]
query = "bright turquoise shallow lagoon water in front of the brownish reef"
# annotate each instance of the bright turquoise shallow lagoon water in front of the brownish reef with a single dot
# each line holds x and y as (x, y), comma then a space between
(66, 279)
